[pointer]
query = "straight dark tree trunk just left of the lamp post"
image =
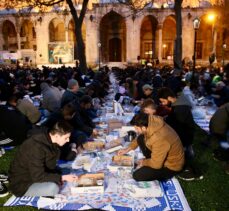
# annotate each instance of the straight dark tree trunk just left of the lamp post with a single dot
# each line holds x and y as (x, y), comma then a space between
(177, 59)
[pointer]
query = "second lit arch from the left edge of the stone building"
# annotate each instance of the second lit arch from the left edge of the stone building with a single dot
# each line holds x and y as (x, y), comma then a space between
(28, 35)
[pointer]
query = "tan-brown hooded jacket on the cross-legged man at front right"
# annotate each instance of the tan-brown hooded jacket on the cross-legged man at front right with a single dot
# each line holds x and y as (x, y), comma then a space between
(164, 144)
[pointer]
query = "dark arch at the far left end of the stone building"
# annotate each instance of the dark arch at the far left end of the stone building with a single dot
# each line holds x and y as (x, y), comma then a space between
(9, 35)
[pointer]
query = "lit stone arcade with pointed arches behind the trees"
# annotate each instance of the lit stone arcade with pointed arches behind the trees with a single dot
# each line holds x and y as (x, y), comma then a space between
(112, 34)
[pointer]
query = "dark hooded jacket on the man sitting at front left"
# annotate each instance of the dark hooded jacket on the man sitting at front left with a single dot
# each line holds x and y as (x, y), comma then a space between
(34, 162)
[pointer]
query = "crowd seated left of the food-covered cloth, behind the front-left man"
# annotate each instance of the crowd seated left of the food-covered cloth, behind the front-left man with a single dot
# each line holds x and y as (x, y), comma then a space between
(53, 89)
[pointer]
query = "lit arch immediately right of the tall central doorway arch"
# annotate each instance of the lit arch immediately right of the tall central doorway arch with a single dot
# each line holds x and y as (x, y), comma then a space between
(148, 37)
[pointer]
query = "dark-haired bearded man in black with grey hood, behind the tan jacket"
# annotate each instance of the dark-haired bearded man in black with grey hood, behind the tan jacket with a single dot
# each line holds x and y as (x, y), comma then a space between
(181, 120)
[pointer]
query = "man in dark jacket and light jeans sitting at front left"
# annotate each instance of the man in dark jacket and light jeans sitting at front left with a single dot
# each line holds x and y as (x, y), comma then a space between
(33, 170)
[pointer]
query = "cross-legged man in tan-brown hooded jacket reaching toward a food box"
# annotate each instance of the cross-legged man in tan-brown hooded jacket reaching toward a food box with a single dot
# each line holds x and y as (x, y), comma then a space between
(161, 146)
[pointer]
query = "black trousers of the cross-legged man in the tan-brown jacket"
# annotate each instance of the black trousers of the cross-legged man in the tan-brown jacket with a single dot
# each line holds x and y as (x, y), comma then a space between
(146, 173)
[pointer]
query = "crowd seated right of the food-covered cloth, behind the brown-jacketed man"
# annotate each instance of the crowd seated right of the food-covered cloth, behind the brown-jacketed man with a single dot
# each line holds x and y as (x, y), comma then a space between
(172, 95)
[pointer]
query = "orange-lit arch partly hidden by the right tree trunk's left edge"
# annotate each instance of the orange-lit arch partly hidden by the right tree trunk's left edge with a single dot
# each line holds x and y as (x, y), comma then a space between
(168, 37)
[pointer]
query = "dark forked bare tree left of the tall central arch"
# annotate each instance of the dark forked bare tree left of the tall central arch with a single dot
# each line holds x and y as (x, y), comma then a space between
(77, 18)
